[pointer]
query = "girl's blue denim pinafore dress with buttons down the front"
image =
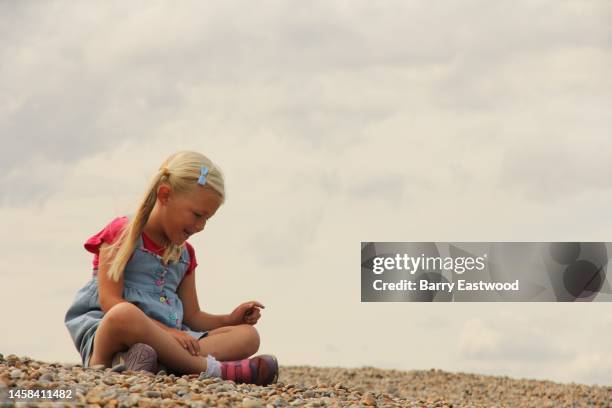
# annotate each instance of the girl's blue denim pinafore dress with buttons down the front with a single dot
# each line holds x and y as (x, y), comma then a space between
(148, 284)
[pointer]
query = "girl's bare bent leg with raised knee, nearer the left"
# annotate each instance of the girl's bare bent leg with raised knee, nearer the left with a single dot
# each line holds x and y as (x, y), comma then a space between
(125, 324)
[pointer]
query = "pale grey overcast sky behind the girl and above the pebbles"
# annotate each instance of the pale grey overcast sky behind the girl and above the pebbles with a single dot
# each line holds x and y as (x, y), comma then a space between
(334, 123)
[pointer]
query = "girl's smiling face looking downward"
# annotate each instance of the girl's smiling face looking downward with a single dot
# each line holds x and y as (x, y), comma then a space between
(182, 215)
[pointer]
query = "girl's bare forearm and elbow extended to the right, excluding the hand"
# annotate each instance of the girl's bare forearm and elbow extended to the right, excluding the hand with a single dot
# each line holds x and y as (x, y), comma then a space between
(192, 315)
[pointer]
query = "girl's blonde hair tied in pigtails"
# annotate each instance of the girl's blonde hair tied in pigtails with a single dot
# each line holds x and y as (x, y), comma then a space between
(181, 172)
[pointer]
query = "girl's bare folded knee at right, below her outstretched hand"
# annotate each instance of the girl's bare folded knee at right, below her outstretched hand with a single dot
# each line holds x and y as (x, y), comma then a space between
(230, 342)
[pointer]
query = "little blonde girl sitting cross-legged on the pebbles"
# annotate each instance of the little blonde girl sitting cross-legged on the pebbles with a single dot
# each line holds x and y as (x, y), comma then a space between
(141, 306)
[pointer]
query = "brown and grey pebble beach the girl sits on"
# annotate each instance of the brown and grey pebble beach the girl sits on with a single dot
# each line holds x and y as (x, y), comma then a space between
(302, 386)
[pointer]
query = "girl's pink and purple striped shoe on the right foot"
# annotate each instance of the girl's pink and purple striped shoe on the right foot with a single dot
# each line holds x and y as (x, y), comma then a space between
(259, 370)
